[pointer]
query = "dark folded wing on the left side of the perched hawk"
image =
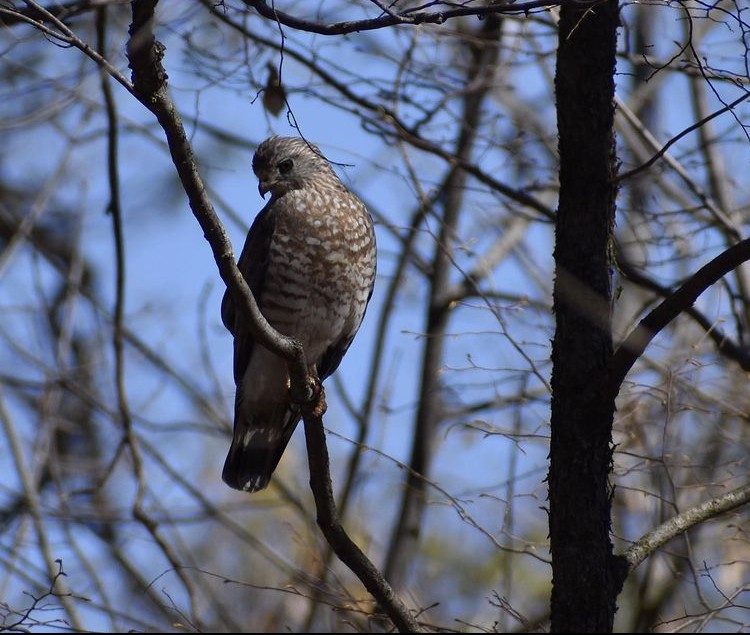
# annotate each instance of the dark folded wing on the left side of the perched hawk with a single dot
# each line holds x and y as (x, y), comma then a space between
(253, 264)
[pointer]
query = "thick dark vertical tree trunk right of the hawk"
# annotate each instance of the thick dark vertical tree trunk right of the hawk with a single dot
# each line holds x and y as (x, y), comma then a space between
(585, 575)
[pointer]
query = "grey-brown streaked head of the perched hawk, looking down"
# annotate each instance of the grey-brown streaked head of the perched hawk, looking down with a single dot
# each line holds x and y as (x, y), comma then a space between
(287, 163)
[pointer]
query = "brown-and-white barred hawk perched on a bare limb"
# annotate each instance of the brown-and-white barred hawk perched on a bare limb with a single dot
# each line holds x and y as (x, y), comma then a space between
(309, 259)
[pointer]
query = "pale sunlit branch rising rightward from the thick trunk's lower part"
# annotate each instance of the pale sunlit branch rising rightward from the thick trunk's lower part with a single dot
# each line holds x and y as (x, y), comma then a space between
(681, 523)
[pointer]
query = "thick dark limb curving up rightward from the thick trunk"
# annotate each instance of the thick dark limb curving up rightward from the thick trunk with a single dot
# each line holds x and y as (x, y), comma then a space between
(679, 301)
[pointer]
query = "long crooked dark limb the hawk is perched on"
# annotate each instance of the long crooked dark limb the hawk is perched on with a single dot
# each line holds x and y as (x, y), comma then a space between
(150, 86)
